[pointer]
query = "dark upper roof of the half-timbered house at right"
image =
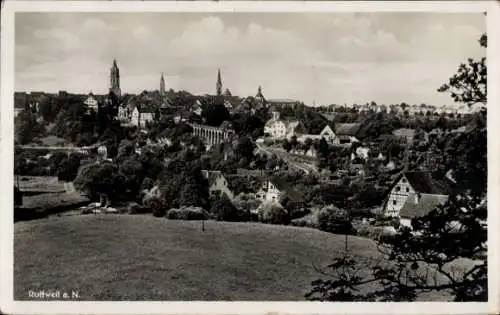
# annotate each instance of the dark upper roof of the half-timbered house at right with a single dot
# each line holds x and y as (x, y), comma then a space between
(427, 183)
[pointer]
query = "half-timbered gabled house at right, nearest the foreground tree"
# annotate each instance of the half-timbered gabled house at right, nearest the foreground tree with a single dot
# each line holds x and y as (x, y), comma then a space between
(415, 194)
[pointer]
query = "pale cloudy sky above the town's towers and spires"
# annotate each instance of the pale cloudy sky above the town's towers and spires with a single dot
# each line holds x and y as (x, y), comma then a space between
(319, 58)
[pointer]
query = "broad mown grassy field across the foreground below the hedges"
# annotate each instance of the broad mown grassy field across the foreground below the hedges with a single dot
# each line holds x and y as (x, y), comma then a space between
(122, 257)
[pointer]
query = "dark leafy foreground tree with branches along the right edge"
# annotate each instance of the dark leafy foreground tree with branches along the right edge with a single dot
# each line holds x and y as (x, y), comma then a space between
(429, 256)
